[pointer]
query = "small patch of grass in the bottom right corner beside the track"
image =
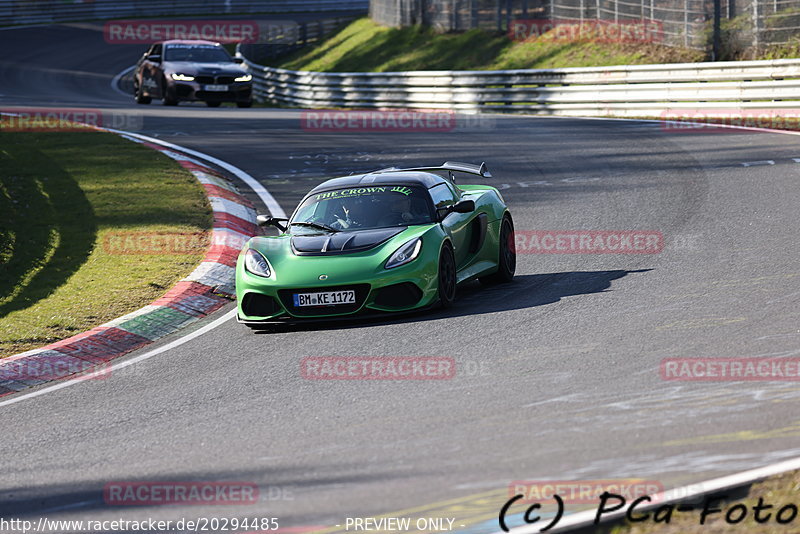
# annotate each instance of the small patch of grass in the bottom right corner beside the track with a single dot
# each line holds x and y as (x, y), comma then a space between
(776, 491)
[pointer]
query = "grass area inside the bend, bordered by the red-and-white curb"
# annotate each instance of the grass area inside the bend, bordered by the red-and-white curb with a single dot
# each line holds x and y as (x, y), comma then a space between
(65, 199)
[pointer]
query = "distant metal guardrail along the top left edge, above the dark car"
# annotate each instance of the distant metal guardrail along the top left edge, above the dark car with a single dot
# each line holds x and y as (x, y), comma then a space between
(18, 12)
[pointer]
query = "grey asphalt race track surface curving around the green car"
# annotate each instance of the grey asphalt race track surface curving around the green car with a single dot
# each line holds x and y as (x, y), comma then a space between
(558, 373)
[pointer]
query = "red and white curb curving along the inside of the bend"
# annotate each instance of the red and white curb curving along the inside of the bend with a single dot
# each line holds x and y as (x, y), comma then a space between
(209, 287)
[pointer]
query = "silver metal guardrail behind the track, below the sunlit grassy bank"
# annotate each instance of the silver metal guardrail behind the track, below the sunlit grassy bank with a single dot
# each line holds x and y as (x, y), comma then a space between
(632, 90)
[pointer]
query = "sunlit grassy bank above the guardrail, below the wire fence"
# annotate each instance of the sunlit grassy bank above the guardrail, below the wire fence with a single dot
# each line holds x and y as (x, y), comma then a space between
(364, 46)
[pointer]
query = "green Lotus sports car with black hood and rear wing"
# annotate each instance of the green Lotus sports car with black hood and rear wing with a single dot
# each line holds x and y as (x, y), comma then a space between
(387, 241)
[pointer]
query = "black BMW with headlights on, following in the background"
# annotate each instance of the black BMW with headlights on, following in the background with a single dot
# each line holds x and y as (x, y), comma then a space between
(185, 71)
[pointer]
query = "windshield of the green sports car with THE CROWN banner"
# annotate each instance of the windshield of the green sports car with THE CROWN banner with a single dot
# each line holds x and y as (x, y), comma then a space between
(356, 208)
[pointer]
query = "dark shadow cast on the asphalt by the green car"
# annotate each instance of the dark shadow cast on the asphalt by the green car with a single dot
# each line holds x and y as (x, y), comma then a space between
(526, 291)
